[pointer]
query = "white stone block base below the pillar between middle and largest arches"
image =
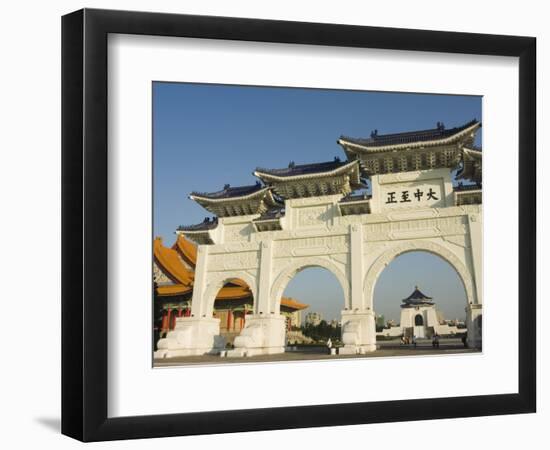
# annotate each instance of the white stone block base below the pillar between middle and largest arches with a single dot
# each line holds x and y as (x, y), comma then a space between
(358, 332)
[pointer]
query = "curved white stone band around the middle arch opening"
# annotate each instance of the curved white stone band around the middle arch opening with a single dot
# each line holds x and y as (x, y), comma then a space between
(283, 278)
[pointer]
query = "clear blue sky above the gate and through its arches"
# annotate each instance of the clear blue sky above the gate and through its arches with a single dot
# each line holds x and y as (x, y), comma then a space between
(205, 136)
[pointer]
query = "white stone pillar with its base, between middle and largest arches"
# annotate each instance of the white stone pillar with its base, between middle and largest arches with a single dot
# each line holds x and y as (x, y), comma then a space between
(358, 323)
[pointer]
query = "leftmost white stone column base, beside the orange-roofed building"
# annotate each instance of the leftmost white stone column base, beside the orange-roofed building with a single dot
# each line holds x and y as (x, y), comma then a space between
(191, 336)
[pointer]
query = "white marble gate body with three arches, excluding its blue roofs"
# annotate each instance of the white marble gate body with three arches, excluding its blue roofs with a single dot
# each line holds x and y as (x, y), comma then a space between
(354, 246)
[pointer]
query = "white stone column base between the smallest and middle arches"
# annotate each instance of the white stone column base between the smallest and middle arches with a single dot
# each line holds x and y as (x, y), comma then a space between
(262, 335)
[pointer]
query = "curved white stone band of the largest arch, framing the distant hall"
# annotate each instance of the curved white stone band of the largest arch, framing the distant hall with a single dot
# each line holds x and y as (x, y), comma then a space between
(426, 246)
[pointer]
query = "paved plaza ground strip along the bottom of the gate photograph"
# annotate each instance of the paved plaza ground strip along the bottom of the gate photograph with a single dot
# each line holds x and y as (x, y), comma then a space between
(386, 349)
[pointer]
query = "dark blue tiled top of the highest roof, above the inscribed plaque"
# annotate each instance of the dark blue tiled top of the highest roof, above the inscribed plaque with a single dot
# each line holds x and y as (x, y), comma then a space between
(380, 140)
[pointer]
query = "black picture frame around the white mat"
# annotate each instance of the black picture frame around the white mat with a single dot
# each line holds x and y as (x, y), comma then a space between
(84, 224)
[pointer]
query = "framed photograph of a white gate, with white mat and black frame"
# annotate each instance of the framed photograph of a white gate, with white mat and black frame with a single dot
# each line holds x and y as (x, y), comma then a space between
(273, 224)
